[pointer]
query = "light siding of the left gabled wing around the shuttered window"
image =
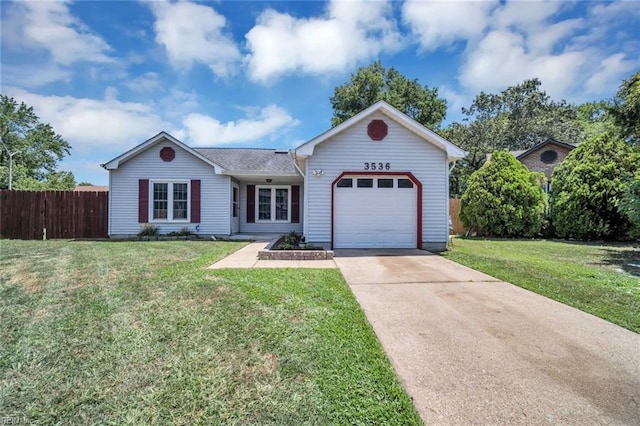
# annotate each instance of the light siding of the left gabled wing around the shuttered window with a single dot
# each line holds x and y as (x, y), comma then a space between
(215, 192)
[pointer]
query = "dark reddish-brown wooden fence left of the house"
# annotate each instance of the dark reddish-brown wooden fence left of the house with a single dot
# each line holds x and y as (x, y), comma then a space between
(64, 214)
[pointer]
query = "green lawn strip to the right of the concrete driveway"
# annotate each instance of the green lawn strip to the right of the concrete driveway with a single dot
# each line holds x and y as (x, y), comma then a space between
(602, 279)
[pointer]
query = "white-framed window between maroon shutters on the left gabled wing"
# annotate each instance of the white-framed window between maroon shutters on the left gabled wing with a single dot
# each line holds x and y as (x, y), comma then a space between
(169, 201)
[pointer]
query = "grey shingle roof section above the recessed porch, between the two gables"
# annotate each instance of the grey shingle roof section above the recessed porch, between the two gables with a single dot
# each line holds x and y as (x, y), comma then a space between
(250, 160)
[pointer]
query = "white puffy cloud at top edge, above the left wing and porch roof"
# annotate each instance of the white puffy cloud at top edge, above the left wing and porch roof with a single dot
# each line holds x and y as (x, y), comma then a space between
(193, 33)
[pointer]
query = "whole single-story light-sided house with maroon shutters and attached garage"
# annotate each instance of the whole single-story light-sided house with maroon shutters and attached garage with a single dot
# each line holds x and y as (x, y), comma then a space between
(380, 179)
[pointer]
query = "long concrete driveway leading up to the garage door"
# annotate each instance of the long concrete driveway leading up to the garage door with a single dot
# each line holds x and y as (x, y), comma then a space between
(470, 349)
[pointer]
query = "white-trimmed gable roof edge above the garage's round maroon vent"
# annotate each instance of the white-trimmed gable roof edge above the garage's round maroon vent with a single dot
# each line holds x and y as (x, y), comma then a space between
(453, 152)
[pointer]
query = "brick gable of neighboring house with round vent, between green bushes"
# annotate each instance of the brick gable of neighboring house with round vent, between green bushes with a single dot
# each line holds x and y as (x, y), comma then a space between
(544, 157)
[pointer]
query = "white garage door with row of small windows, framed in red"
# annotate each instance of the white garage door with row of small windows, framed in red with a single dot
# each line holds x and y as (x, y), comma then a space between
(374, 211)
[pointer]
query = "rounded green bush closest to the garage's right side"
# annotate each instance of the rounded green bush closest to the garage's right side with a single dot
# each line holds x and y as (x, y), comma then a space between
(504, 199)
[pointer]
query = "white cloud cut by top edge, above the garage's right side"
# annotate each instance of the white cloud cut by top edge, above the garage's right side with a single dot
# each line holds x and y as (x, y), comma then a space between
(439, 24)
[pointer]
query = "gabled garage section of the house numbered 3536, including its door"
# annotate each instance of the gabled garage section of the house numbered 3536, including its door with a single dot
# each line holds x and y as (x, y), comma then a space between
(377, 180)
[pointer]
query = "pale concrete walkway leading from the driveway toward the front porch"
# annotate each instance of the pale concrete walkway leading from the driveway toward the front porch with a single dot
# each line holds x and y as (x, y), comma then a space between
(247, 257)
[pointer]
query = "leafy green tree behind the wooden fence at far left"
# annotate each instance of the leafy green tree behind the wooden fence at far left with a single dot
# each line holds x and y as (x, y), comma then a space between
(40, 148)
